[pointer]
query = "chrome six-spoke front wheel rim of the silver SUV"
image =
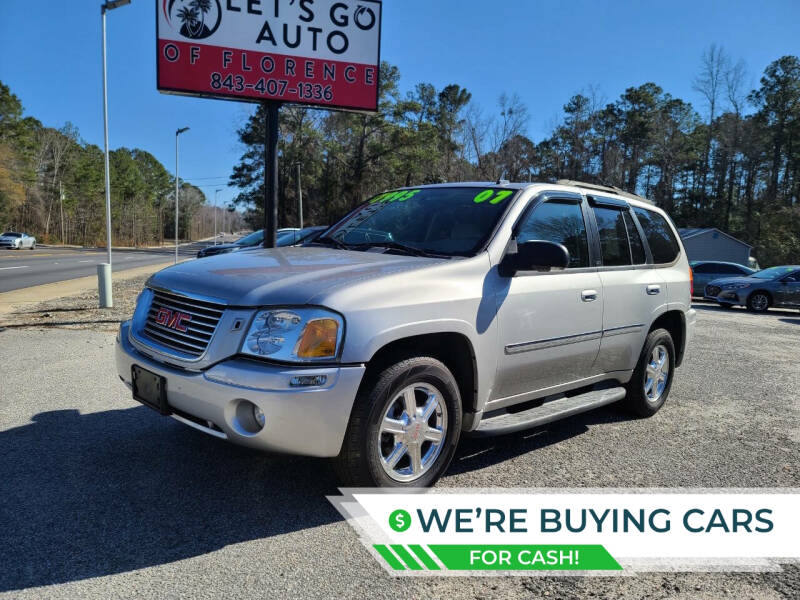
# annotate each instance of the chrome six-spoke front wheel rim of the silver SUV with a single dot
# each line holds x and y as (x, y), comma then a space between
(412, 432)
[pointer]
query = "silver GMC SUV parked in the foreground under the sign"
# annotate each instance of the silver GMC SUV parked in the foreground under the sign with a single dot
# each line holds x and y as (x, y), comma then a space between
(424, 314)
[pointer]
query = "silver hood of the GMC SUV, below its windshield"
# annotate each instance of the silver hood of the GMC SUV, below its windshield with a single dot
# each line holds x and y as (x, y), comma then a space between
(291, 275)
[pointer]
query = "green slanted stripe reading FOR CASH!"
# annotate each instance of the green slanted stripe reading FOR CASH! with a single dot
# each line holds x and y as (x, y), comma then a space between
(522, 557)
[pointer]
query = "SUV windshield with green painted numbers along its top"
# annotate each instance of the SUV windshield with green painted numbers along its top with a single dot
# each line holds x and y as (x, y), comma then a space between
(454, 221)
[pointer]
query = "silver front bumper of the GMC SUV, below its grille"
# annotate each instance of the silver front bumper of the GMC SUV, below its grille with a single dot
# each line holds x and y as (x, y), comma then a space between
(308, 420)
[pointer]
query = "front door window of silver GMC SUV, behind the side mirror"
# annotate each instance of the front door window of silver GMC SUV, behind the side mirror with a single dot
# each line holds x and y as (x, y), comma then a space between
(560, 222)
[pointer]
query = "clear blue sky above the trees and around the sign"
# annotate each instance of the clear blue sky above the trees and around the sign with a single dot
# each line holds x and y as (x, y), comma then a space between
(543, 51)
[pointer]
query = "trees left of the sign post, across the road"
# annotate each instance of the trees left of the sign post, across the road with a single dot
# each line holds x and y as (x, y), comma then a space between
(52, 185)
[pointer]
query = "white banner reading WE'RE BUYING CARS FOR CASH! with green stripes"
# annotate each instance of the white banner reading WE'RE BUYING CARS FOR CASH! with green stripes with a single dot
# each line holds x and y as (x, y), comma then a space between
(574, 532)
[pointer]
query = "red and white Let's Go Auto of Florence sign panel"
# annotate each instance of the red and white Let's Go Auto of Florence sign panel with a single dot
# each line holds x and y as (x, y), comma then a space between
(317, 52)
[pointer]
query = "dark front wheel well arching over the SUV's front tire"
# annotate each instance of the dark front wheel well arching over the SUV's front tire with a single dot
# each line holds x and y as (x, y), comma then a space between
(453, 349)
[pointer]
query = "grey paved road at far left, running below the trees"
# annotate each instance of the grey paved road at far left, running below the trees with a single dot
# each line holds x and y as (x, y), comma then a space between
(26, 268)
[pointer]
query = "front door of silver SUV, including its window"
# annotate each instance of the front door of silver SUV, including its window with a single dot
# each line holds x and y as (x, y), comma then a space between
(550, 322)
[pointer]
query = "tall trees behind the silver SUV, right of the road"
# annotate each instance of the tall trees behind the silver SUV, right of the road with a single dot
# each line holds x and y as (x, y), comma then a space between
(734, 163)
